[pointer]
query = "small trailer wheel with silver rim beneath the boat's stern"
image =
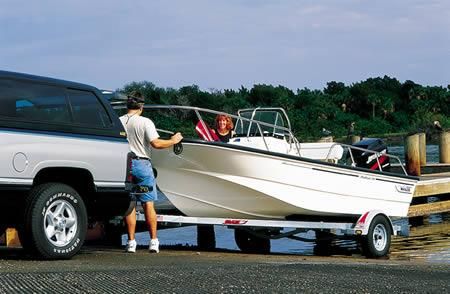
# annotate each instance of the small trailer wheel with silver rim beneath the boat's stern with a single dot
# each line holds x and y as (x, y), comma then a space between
(378, 240)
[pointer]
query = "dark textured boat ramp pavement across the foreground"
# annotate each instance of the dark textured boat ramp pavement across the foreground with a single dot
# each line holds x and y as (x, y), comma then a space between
(109, 270)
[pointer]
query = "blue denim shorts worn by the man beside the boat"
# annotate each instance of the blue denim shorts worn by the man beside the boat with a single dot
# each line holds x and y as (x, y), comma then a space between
(143, 176)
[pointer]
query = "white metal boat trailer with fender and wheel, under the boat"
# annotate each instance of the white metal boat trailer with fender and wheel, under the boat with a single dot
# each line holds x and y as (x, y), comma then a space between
(372, 230)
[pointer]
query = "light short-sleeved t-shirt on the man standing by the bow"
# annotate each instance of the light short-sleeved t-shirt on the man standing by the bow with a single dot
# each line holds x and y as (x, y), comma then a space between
(140, 132)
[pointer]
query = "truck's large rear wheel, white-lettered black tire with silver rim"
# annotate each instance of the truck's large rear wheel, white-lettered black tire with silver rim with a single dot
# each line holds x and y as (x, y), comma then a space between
(55, 221)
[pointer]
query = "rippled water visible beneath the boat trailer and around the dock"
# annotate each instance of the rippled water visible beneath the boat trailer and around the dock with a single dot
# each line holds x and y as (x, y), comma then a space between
(429, 242)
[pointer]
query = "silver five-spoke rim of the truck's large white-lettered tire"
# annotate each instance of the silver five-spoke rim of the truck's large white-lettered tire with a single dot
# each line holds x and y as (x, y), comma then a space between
(60, 223)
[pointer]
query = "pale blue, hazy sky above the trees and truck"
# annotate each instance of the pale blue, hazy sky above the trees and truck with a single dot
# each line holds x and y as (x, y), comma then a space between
(226, 44)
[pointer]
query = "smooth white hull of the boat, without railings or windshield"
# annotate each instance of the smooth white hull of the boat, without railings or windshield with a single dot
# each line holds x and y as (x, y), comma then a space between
(220, 180)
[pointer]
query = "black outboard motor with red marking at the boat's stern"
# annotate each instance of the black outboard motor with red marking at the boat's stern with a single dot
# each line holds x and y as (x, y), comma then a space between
(368, 159)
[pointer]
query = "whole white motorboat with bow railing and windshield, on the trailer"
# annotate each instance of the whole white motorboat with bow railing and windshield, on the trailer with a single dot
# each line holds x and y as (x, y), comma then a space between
(265, 173)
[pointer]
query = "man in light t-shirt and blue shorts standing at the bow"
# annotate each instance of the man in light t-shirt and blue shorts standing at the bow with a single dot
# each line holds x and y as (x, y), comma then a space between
(142, 135)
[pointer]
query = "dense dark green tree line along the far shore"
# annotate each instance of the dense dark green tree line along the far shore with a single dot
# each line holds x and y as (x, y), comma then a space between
(376, 106)
